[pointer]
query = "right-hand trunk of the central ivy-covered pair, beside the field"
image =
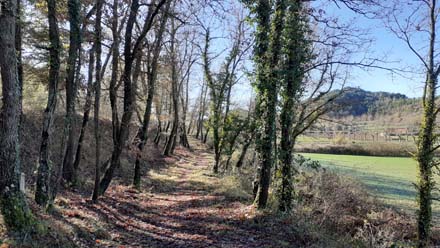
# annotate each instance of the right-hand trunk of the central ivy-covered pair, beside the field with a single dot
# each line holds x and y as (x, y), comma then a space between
(295, 51)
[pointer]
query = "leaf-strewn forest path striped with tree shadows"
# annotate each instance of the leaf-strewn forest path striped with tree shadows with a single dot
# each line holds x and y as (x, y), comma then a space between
(182, 206)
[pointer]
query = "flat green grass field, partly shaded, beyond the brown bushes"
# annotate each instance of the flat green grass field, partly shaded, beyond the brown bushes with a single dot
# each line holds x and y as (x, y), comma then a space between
(389, 178)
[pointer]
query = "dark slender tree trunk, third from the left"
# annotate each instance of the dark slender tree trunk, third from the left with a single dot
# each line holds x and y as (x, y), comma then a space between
(69, 173)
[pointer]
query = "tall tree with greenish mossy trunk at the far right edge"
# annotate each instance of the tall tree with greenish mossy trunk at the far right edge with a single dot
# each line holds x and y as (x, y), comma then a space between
(415, 24)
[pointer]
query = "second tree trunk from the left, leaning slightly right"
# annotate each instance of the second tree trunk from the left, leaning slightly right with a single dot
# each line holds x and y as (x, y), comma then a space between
(43, 187)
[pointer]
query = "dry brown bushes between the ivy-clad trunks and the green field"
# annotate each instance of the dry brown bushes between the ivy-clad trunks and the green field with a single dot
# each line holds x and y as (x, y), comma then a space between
(342, 205)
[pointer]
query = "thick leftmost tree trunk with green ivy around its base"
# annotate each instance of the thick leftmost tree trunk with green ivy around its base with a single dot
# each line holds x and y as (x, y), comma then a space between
(16, 213)
